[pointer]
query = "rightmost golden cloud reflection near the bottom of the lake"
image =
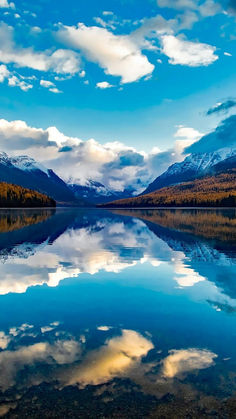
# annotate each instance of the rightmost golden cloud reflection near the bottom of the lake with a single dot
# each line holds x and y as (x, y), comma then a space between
(184, 361)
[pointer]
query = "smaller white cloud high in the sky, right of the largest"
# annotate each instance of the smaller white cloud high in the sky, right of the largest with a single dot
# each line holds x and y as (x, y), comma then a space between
(183, 52)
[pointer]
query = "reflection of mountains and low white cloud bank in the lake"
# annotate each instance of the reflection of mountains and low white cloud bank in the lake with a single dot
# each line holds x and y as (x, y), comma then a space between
(47, 246)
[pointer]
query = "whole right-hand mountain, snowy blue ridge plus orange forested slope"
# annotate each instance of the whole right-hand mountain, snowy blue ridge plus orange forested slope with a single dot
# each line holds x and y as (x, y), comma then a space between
(200, 180)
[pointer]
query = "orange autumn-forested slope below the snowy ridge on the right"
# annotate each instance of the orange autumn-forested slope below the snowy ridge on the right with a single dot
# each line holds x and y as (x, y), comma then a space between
(209, 191)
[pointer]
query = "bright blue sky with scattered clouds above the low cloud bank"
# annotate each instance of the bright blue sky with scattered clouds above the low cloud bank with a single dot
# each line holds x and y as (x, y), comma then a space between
(134, 72)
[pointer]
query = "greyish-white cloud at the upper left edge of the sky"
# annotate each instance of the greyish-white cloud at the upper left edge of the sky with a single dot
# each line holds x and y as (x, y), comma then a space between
(60, 61)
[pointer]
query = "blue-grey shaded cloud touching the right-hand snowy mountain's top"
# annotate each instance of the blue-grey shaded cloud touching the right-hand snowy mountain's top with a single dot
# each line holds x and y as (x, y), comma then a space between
(223, 136)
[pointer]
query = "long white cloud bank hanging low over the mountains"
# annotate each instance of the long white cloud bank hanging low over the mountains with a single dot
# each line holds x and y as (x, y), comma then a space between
(114, 164)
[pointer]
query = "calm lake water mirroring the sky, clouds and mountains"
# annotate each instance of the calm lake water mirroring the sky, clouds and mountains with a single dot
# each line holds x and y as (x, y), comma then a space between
(118, 314)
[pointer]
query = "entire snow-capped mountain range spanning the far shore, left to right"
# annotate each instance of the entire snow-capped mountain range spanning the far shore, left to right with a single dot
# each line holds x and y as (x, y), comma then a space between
(28, 173)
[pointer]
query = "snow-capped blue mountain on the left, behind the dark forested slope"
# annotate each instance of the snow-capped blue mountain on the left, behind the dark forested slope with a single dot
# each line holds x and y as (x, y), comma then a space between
(26, 172)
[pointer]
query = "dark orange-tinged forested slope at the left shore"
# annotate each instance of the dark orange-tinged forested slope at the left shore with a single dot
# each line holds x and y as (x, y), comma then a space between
(13, 196)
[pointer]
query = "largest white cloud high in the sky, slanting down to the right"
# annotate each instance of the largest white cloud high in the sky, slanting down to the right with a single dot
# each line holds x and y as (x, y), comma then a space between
(119, 55)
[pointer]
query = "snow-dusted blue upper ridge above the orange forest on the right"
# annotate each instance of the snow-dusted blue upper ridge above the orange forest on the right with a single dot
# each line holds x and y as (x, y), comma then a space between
(194, 166)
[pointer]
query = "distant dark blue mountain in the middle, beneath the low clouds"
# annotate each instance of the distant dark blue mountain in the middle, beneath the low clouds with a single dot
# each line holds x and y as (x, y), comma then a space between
(96, 192)
